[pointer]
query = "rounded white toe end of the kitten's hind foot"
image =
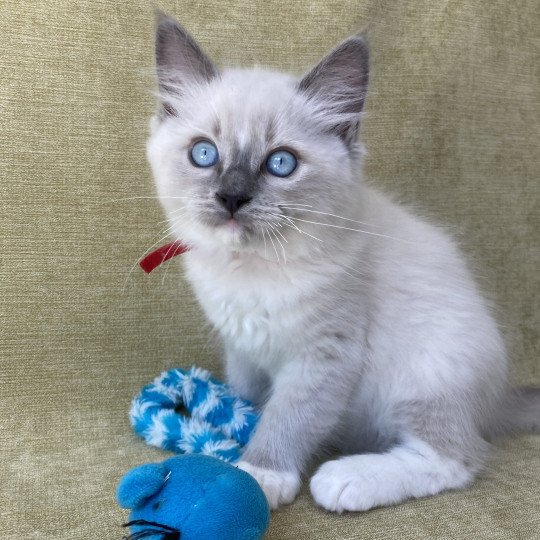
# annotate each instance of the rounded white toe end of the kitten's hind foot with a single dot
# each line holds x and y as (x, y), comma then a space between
(339, 488)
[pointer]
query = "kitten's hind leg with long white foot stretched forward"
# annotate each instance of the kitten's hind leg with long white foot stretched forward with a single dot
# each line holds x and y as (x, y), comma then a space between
(431, 457)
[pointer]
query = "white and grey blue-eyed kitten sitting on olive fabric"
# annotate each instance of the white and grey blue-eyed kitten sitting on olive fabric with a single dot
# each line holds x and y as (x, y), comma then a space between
(352, 323)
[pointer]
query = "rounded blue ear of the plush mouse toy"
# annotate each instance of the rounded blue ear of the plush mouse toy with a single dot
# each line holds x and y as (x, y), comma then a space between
(141, 483)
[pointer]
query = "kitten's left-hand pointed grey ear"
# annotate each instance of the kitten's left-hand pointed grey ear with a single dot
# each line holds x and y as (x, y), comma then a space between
(179, 60)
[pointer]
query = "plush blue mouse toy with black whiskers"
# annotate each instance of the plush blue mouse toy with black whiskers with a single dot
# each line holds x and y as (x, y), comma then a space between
(193, 497)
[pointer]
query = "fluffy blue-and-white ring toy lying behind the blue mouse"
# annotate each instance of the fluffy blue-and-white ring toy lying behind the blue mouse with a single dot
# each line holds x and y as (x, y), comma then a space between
(188, 411)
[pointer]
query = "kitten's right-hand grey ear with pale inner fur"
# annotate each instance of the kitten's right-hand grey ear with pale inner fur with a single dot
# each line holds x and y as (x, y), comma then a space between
(339, 85)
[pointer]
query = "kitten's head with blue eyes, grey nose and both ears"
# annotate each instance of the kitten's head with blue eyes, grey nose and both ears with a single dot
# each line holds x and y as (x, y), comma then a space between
(243, 158)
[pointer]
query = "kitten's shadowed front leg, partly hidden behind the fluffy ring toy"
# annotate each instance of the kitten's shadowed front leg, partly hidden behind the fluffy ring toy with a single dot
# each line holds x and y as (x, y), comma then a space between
(246, 378)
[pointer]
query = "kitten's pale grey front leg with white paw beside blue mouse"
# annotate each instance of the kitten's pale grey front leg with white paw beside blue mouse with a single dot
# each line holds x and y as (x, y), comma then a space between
(308, 399)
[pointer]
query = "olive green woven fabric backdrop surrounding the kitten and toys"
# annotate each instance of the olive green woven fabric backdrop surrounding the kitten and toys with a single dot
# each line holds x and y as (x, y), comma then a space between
(453, 129)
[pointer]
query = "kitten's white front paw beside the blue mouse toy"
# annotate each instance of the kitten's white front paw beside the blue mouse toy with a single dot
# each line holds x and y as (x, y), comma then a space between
(280, 487)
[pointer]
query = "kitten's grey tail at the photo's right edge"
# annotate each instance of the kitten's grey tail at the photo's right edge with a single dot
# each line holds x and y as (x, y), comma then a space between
(522, 413)
